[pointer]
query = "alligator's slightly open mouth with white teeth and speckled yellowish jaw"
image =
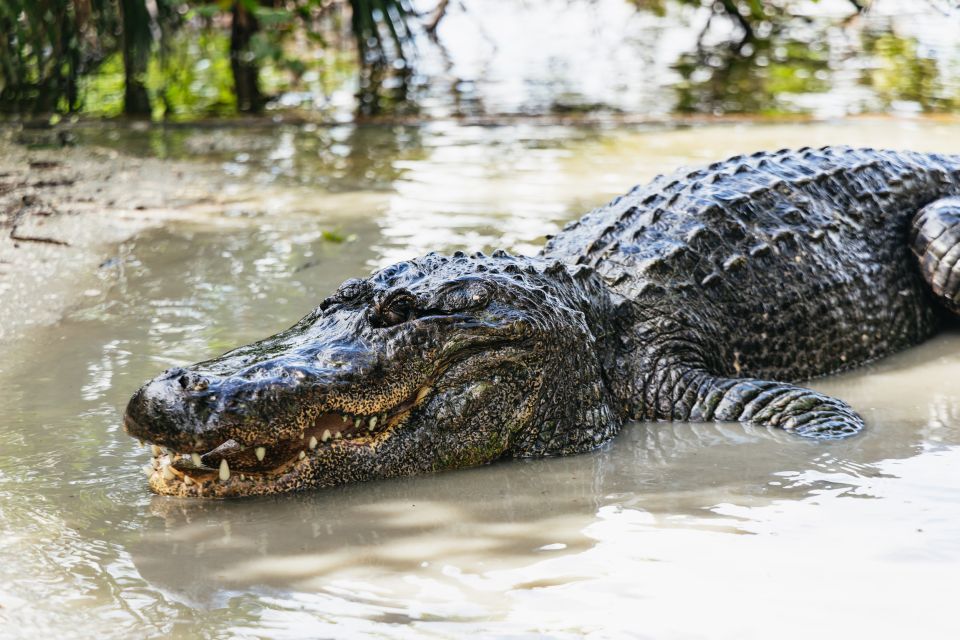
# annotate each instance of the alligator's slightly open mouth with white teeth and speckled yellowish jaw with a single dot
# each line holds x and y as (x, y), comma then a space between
(232, 468)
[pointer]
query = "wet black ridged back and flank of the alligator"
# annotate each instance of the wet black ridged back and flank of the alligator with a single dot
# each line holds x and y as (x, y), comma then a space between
(787, 265)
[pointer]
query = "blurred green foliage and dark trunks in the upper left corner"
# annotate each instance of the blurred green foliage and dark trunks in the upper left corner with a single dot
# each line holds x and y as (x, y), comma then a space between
(172, 58)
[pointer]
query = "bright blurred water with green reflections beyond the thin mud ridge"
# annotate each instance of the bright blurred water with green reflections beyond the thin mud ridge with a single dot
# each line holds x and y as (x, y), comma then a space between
(612, 57)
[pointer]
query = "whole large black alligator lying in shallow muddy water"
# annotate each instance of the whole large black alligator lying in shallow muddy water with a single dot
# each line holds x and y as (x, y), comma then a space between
(705, 295)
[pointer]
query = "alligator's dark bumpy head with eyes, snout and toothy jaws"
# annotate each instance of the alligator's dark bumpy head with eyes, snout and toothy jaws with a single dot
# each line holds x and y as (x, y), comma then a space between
(432, 364)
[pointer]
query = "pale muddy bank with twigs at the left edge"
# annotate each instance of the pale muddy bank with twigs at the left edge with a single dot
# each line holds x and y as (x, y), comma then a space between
(64, 209)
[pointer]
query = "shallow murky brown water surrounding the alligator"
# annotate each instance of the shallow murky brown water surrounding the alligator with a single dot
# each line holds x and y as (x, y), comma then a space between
(670, 531)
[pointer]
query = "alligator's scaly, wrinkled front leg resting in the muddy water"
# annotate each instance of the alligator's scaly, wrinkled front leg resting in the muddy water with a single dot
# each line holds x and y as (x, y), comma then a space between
(698, 396)
